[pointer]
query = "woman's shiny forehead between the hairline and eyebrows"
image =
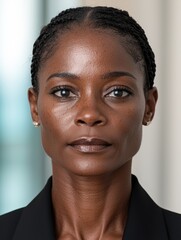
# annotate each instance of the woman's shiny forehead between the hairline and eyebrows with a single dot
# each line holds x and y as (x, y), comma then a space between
(92, 50)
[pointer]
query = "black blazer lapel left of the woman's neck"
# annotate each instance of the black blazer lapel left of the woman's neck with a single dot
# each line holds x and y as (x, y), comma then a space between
(37, 221)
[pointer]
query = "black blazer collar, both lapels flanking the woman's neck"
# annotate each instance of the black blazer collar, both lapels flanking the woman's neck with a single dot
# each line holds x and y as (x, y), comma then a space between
(145, 219)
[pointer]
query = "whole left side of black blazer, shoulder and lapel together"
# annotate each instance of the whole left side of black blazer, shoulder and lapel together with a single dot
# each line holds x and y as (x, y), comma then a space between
(34, 221)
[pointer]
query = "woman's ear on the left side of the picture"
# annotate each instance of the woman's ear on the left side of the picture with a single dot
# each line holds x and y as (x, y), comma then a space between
(33, 99)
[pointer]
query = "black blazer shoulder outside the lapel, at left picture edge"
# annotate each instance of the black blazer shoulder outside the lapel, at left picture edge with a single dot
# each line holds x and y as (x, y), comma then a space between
(8, 223)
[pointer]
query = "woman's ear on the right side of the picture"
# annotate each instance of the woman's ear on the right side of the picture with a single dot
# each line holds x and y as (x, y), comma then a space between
(151, 100)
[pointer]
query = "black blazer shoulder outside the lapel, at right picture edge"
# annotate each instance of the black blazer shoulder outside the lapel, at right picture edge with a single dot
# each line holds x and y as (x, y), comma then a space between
(173, 223)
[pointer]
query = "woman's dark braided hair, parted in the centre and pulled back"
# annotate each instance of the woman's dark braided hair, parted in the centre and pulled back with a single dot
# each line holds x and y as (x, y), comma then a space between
(134, 38)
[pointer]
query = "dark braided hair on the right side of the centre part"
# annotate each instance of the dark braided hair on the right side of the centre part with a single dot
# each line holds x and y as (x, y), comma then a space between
(126, 26)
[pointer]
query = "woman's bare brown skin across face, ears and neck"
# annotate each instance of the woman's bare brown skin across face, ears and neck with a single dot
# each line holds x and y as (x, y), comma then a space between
(91, 184)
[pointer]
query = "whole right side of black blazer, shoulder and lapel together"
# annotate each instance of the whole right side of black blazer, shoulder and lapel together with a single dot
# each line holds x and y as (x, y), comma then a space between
(148, 220)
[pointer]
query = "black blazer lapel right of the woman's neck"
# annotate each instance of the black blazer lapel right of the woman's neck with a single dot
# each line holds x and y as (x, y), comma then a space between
(145, 219)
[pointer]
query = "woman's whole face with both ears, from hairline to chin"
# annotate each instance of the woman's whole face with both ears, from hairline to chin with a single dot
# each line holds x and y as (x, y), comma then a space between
(91, 103)
